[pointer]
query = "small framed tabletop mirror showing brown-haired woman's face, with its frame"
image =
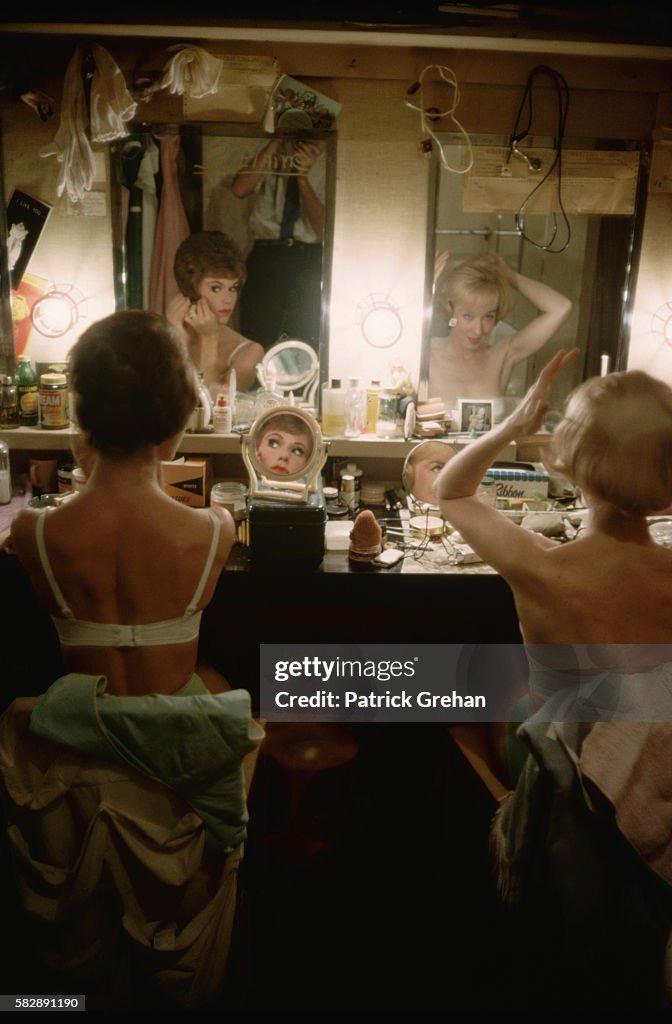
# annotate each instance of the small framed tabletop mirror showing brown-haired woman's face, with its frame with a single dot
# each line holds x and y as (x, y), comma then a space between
(284, 453)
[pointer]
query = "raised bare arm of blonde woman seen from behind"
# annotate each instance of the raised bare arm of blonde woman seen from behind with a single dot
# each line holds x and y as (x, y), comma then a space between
(499, 542)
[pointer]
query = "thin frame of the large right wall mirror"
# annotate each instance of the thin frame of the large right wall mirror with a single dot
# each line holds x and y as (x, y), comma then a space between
(618, 346)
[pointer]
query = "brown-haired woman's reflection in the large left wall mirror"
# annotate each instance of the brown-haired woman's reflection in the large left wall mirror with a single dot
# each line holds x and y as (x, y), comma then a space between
(211, 273)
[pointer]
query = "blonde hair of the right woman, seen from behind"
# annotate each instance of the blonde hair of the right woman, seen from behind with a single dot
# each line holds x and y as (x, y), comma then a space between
(616, 442)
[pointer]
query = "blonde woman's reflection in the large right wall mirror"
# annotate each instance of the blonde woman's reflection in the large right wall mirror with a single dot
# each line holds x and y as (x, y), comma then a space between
(477, 294)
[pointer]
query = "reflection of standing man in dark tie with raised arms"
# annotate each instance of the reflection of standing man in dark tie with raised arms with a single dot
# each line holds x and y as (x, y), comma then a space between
(286, 183)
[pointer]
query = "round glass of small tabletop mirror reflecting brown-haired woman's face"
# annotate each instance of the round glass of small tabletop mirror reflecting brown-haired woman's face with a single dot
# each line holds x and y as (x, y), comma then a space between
(285, 444)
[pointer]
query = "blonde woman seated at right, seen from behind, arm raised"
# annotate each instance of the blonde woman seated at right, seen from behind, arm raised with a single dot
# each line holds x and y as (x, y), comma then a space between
(611, 586)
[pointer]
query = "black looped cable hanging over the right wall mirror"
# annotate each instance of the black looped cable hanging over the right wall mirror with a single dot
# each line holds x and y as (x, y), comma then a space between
(534, 164)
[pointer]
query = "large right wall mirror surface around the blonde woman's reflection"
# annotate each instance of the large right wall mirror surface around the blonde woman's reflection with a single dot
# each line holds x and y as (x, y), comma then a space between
(591, 258)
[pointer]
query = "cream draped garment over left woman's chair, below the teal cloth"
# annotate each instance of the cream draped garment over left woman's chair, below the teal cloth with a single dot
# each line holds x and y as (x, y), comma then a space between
(112, 870)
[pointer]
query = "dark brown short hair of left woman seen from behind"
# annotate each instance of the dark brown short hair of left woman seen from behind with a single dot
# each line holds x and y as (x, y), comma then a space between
(133, 381)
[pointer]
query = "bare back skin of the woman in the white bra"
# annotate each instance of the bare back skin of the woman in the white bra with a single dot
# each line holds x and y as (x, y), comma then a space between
(127, 559)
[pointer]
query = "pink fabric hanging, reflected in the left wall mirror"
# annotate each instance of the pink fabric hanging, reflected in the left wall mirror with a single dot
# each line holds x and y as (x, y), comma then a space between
(173, 229)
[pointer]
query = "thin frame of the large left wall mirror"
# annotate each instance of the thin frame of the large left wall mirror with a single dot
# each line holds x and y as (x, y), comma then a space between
(197, 130)
